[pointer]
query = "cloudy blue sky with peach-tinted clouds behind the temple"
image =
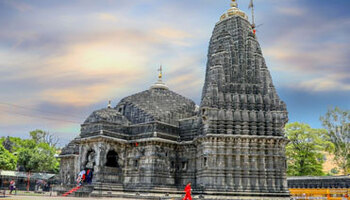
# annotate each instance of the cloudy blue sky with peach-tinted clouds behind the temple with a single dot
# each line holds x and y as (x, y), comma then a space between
(62, 59)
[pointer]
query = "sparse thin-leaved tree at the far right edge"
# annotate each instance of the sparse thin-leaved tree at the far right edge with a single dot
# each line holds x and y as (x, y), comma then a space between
(337, 123)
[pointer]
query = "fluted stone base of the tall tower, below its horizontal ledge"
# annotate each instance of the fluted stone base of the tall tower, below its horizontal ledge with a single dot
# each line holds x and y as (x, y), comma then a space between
(245, 164)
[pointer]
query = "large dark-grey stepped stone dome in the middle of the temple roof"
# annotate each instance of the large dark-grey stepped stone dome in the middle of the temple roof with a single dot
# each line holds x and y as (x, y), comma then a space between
(156, 104)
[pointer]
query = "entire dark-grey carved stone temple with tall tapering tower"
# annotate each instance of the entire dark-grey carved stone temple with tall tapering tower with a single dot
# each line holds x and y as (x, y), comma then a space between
(156, 141)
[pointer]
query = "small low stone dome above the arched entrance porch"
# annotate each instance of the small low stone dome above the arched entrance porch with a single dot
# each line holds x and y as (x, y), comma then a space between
(106, 115)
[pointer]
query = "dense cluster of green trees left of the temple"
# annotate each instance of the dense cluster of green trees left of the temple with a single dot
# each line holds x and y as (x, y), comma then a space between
(35, 155)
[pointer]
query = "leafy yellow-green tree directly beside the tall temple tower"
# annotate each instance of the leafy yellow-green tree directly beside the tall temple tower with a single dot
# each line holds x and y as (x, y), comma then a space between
(304, 151)
